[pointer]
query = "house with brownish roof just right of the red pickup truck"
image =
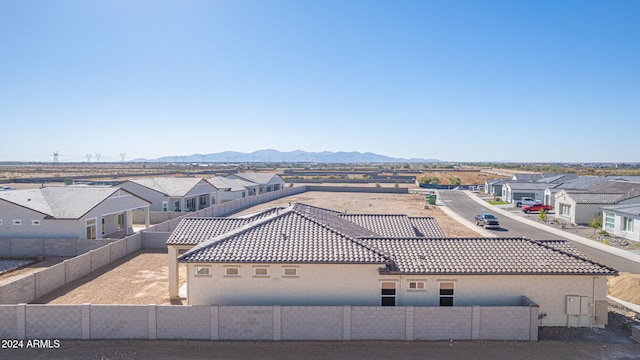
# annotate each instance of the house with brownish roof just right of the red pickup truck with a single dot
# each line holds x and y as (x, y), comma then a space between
(580, 207)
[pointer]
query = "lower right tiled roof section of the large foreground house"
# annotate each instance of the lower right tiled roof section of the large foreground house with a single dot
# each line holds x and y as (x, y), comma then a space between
(482, 256)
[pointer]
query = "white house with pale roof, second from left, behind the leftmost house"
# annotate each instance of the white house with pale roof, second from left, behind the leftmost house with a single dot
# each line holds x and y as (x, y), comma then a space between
(179, 194)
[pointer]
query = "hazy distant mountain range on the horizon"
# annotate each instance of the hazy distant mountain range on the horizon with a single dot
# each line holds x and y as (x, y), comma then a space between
(297, 156)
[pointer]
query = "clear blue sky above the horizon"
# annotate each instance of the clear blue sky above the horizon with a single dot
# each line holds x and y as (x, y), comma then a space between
(521, 81)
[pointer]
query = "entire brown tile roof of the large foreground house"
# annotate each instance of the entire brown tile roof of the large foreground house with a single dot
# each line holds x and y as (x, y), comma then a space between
(307, 234)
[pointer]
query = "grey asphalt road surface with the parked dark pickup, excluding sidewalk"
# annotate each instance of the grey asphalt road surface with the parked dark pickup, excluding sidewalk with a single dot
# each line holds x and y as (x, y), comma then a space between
(467, 208)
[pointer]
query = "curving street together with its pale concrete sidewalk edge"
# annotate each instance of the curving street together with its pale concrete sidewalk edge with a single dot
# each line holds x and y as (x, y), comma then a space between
(461, 203)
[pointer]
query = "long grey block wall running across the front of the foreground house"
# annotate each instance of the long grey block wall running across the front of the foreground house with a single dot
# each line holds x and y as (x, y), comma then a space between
(93, 322)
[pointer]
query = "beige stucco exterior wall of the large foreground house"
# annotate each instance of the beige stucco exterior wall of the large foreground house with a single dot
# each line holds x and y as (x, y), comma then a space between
(323, 285)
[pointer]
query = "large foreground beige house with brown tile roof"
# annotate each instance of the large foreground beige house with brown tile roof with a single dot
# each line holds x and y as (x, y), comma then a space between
(307, 256)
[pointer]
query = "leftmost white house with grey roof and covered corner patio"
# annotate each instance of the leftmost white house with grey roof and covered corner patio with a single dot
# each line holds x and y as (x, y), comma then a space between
(69, 212)
